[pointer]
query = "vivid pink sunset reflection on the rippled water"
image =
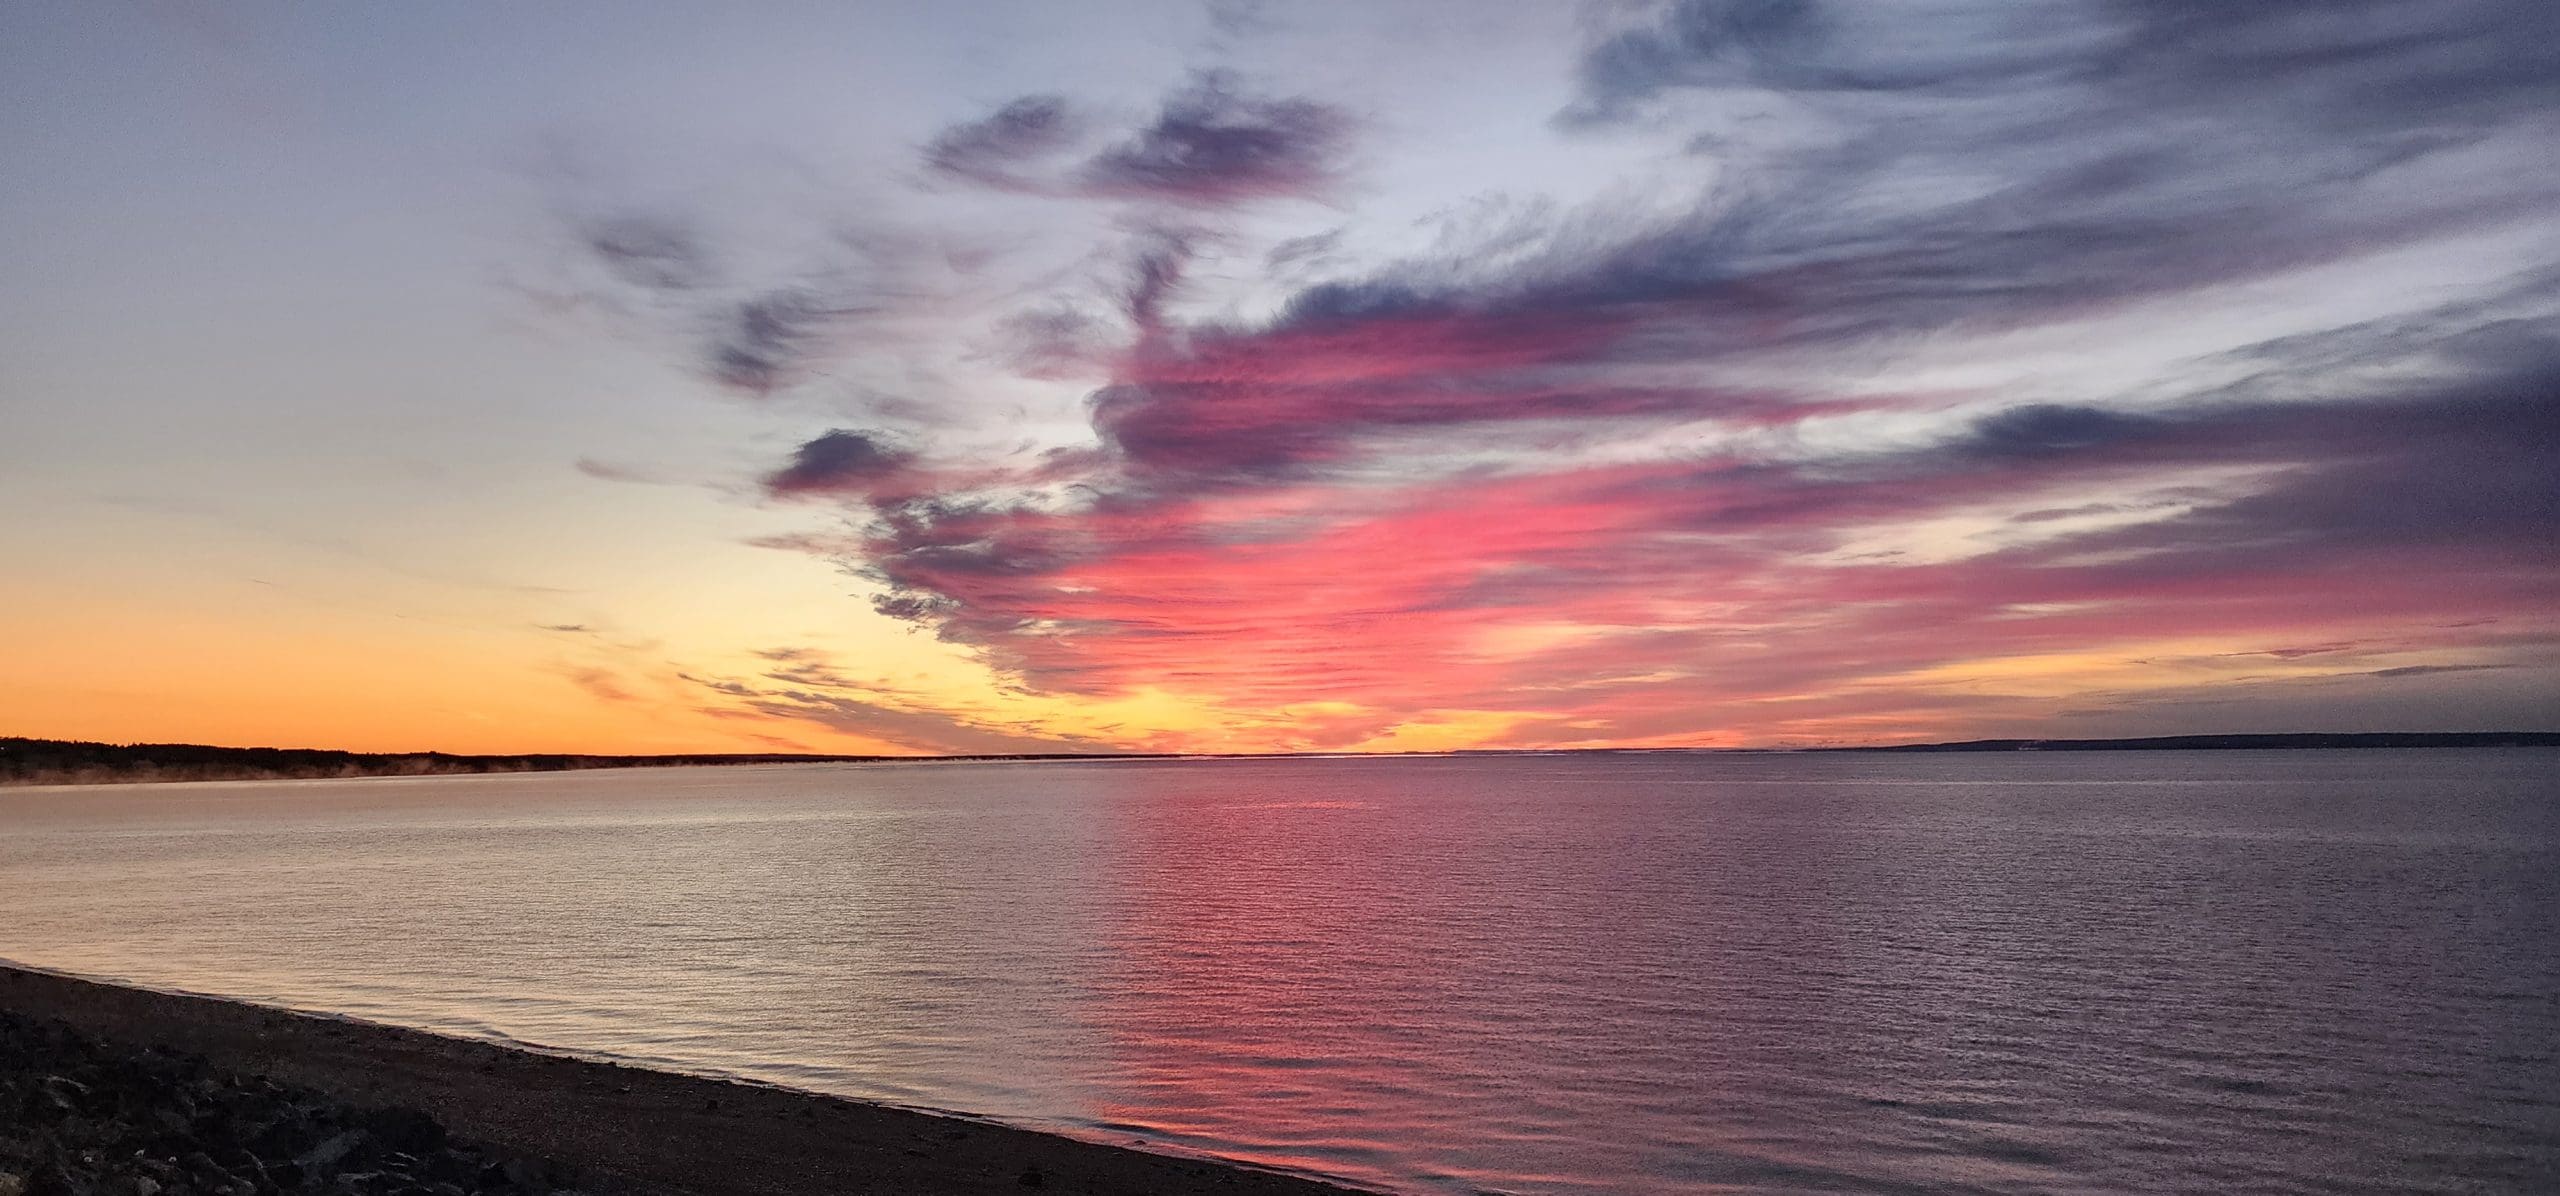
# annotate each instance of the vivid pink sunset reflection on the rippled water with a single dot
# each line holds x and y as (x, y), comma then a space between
(1292, 995)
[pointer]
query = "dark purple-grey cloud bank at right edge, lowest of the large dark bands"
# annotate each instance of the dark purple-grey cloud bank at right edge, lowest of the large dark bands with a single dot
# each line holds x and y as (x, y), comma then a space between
(2461, 460)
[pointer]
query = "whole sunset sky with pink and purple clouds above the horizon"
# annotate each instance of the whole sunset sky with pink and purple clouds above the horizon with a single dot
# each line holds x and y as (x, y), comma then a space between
(1276, 378)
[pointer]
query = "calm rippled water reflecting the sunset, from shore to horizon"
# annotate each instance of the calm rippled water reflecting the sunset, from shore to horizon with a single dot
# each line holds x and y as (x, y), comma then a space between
(2029, 972)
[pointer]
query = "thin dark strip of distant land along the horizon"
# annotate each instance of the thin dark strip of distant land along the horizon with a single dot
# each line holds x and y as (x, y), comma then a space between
(81, 762)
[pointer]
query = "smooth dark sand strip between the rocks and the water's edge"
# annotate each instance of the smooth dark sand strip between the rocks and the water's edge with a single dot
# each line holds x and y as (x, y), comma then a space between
(593, 1126)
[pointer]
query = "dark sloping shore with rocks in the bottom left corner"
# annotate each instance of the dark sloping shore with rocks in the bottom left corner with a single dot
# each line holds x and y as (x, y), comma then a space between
(544, 1120)
